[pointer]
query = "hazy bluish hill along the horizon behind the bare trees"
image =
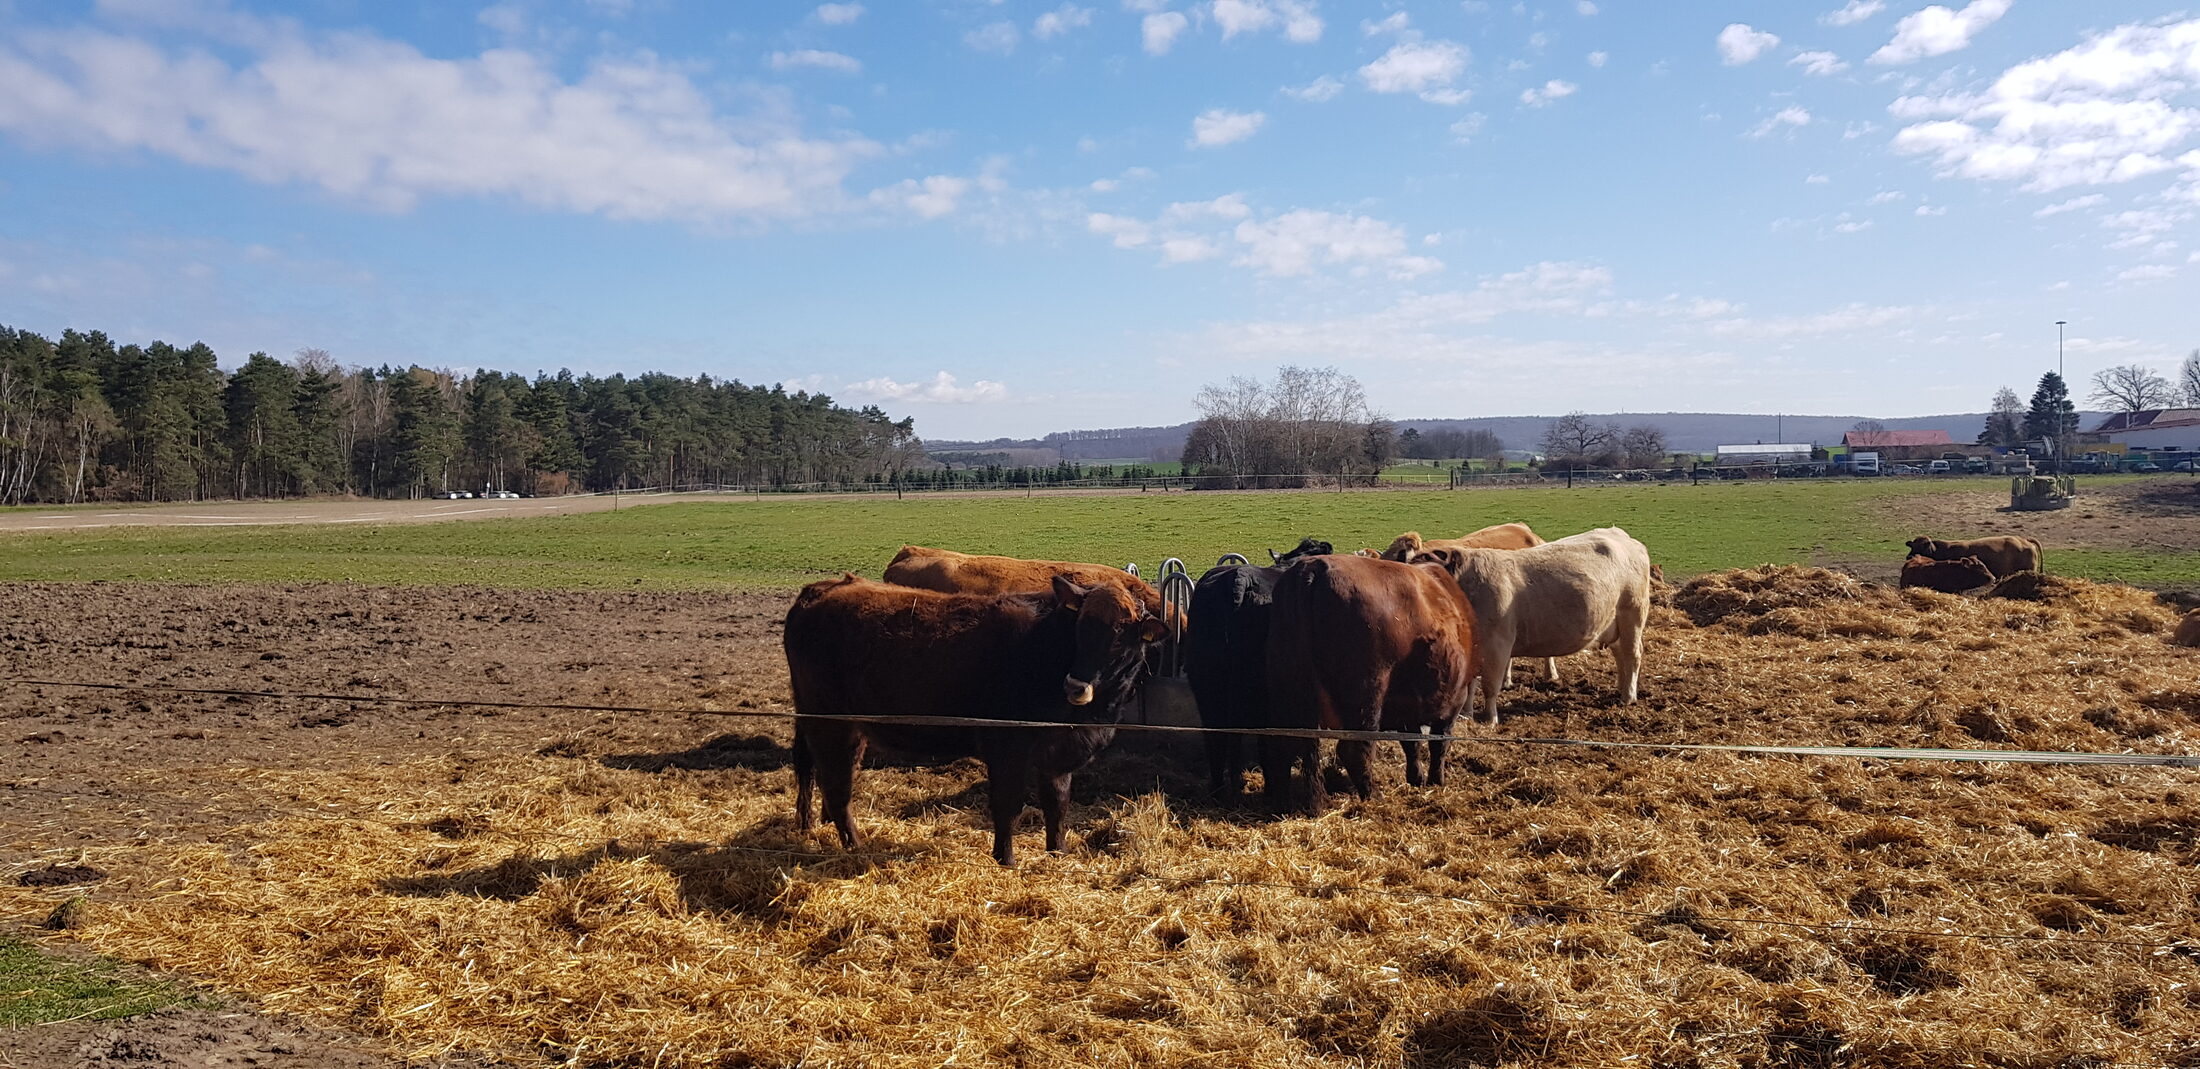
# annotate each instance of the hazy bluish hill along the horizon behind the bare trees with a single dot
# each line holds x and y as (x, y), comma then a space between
(1686, 432)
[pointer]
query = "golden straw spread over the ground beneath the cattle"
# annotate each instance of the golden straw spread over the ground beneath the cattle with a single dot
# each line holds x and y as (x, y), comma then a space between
(1548, 907)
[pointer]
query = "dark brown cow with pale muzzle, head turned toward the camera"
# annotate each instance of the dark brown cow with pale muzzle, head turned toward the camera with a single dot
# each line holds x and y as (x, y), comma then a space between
(857, 648)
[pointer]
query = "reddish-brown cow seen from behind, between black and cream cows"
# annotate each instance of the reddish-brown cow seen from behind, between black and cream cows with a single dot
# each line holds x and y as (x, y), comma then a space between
(1365, 646)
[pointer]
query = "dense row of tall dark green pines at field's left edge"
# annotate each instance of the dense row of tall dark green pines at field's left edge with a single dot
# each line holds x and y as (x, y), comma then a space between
(87, 419)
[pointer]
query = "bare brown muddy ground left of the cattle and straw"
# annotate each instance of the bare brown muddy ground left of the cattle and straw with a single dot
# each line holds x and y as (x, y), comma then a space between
(80, 769)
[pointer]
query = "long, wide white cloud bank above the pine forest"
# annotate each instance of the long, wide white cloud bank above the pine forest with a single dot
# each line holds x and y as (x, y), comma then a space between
(379, 122)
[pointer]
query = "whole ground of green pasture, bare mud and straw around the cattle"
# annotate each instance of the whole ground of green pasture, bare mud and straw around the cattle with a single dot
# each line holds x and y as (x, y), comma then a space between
(617, 877)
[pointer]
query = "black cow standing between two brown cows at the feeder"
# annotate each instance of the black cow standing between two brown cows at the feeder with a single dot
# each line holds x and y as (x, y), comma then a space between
(1226, 654)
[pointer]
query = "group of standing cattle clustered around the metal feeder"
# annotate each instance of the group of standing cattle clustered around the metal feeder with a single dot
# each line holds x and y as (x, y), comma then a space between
(1394, 641)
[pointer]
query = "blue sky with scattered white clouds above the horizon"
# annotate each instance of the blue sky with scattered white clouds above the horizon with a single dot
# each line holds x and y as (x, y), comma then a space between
(1011, 217)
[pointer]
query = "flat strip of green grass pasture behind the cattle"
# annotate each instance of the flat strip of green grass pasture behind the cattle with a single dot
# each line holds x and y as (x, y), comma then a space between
(782, 542)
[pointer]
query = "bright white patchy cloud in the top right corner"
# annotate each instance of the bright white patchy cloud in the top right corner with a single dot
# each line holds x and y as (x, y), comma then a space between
(2091, 115)
